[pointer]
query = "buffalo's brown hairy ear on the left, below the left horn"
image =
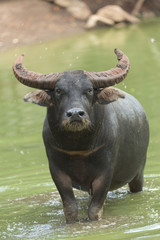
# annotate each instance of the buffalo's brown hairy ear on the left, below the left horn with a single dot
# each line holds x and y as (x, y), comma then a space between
(40, 97)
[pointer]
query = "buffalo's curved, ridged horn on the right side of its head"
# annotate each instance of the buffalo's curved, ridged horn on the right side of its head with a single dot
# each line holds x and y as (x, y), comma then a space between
(112, 76)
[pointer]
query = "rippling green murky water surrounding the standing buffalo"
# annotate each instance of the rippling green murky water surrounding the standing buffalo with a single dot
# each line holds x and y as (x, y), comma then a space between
(30, 207)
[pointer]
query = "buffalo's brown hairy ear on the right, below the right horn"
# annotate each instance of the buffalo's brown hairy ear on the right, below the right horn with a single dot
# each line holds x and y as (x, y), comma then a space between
(108, 95)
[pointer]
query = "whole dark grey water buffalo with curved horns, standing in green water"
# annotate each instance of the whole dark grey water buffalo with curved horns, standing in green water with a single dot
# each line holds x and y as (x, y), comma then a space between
(96, 136)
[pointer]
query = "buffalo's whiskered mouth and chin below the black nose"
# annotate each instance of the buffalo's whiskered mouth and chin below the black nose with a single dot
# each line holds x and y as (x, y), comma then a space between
(76, 125)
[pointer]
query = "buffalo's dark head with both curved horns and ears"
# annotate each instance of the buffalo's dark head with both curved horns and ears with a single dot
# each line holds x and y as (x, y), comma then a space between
(72, 94)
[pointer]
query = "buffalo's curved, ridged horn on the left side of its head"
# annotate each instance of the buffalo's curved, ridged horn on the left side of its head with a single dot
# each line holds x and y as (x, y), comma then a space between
(32, 79)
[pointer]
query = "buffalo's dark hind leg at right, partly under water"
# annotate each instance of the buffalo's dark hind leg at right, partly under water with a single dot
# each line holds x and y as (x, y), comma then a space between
(136, 185)
